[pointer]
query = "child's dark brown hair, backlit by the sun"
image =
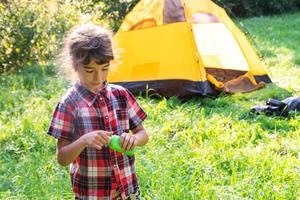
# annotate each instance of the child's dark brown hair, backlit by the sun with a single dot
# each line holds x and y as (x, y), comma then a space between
(85, 43)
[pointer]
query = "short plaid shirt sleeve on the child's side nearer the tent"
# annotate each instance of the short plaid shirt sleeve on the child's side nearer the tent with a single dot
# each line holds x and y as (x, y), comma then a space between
(136, 114)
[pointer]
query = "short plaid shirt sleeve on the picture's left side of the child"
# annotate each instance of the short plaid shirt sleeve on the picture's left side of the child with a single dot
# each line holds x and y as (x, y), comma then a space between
(62, 123)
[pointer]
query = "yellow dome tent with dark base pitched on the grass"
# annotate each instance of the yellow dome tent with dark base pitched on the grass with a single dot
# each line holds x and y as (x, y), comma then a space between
(185, 48)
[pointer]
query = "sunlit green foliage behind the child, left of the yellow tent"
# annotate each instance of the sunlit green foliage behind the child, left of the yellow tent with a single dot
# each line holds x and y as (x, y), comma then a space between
(32, 31)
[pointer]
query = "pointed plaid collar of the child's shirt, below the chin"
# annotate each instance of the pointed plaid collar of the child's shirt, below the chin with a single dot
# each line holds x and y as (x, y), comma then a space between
(90, 97)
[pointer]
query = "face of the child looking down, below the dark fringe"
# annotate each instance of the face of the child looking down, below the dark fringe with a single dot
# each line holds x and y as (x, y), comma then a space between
(92, 75)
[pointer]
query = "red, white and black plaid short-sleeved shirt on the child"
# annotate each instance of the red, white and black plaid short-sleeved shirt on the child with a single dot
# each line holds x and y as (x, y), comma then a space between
(98, 174)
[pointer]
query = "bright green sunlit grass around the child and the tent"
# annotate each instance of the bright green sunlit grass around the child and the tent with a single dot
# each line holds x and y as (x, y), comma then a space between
(199, 149)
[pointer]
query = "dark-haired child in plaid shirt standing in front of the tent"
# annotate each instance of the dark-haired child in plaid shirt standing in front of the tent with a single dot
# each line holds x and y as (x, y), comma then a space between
(89, 113)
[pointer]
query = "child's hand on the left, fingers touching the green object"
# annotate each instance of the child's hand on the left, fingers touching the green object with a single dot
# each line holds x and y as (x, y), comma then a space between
(96, 139)
